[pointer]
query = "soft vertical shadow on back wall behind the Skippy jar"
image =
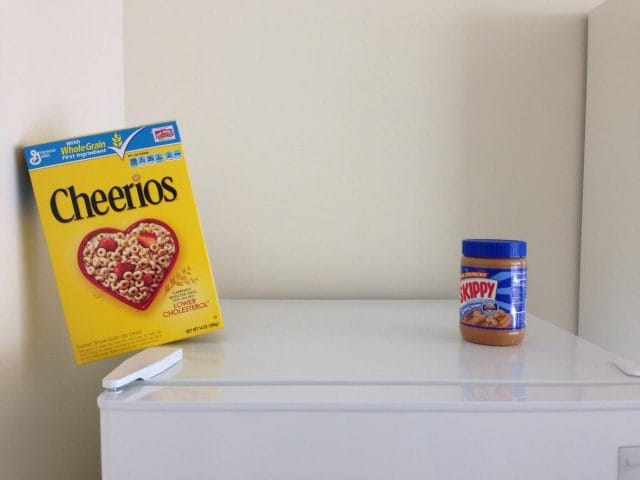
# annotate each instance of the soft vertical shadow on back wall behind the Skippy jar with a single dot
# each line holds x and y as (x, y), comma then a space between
(523, 145)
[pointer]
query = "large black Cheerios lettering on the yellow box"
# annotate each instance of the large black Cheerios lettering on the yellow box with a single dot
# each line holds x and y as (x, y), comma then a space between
(69, 205)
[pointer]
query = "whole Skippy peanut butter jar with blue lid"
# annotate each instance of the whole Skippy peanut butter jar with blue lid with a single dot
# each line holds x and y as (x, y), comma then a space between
(493, 291)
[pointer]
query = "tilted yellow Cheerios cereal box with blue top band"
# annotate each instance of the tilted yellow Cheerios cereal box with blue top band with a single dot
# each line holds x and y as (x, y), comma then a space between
(125, 239)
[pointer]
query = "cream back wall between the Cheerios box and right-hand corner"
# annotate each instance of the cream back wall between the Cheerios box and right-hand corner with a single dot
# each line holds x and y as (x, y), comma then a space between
(343, 149)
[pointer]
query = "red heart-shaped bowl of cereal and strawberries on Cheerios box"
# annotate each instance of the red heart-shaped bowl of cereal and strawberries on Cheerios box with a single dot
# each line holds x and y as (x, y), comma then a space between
(130, 265)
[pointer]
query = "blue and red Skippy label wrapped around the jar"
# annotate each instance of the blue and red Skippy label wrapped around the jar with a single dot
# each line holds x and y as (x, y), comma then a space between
(493, 298)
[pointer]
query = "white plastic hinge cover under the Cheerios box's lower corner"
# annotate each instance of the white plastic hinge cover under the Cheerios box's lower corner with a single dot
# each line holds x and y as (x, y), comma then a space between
(142, 366)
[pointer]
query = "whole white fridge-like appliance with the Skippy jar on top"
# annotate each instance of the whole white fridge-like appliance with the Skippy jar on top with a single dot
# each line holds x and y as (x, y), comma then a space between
(373, 390)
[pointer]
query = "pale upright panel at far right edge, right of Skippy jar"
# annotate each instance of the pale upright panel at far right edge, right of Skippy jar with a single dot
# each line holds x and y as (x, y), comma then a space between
(610, 268)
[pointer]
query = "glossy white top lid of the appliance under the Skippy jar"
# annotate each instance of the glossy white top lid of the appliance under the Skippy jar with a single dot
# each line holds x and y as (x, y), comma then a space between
(369, 344)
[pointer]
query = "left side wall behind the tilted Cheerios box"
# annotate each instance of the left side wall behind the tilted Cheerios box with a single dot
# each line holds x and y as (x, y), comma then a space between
(61, 74)
